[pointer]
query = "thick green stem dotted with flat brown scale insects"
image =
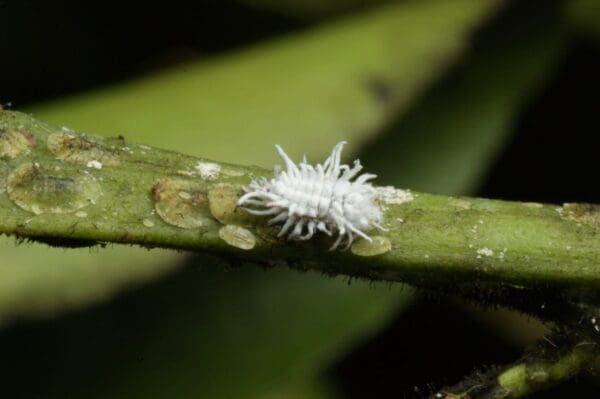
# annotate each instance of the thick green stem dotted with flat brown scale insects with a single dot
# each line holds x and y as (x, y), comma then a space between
(53, 189)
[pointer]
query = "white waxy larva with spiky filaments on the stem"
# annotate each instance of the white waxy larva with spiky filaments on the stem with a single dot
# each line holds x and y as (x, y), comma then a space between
(308, 198)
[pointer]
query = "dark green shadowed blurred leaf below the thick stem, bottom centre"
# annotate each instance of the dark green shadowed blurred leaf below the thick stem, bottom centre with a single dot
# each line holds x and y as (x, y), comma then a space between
(202, 332)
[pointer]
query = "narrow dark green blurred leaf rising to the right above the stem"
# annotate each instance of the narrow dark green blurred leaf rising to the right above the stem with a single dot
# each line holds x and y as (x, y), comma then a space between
(445, 141)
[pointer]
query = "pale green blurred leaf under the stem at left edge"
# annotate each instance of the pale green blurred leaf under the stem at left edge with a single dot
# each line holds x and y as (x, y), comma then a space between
(43, 281)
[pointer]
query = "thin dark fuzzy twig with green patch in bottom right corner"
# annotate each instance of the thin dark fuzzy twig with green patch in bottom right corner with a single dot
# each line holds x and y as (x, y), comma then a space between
(571, 349)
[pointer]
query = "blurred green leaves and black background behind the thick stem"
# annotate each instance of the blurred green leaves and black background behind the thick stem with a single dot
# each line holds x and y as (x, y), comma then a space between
(448, 96)
